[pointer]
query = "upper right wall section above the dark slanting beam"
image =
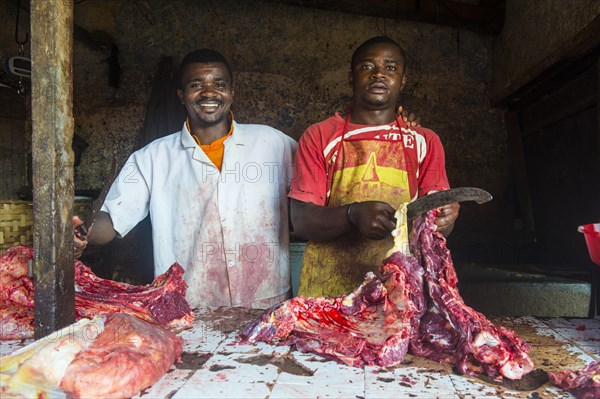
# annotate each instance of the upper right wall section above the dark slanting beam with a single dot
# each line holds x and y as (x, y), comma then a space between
(538, 34)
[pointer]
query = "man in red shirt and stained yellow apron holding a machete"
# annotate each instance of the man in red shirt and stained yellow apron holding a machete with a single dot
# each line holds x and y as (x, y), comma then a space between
(354, 170)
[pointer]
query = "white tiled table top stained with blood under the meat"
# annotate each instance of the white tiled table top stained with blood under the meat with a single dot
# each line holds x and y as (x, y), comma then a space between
(232, 371)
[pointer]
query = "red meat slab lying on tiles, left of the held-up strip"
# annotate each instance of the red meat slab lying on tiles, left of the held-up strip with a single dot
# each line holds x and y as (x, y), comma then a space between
(372, 325)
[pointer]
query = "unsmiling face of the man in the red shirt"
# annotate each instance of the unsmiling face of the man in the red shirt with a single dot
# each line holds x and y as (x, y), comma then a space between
(377, 77)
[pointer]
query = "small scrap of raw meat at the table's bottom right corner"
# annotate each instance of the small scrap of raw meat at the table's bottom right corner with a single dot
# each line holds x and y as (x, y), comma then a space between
(584, 383)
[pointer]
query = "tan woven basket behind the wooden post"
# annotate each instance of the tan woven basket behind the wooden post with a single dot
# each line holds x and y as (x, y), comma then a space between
(16, 221)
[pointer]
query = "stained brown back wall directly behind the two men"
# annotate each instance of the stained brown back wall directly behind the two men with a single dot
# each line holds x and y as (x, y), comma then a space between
(290, 66)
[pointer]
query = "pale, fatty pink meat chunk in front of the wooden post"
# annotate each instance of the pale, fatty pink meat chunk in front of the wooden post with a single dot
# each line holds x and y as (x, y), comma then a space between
(110, 356)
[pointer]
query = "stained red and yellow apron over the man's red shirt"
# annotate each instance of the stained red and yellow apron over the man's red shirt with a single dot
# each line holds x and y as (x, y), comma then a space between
(367, 170)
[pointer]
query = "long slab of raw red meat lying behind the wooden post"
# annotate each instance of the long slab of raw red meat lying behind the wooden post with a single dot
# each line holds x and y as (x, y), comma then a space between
(161, 302)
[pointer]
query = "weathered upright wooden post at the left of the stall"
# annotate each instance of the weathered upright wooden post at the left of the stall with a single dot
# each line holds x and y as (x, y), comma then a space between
(52, 122)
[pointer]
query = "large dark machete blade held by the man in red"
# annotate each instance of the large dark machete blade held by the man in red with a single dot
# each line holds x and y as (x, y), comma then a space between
(441, 198)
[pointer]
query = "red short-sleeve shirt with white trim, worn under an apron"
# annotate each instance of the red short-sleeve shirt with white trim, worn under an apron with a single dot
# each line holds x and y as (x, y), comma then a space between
(315, 163)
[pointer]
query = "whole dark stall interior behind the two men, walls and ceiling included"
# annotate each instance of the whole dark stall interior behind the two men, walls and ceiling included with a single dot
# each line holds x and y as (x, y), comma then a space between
(510, 86)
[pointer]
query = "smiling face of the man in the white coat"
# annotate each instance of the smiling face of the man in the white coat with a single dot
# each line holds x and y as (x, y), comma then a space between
(206, 92)
